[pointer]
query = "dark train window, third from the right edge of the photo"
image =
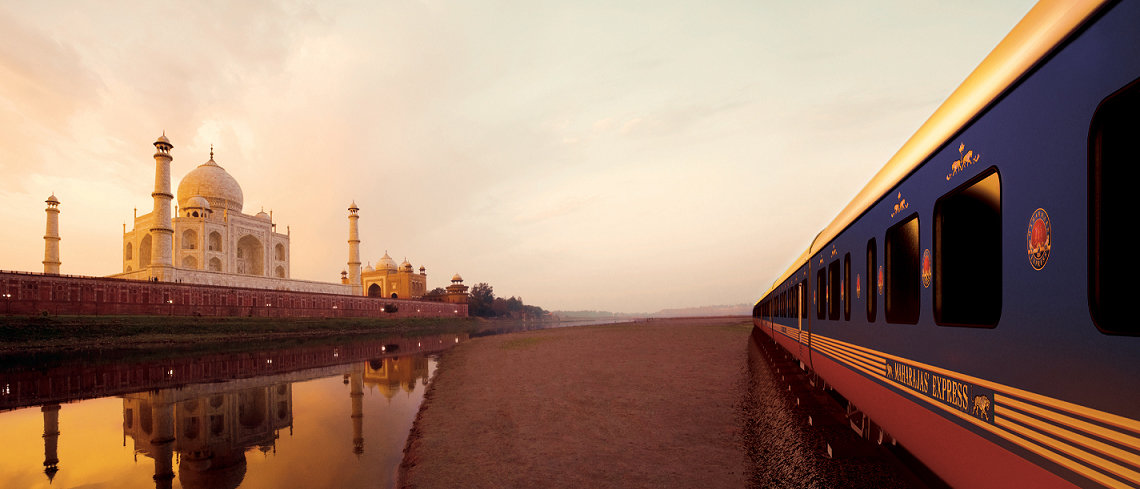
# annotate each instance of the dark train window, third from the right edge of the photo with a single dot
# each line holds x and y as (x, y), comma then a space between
(902, 260)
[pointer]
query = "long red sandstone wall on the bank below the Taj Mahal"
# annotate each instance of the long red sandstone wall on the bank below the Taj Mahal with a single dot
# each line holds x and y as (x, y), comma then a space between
(61, 295)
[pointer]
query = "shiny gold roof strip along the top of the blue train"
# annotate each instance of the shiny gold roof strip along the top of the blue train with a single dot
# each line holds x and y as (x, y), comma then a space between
(1046, 27)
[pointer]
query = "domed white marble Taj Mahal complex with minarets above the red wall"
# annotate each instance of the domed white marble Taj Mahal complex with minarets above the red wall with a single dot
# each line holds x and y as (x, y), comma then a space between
(210, 240)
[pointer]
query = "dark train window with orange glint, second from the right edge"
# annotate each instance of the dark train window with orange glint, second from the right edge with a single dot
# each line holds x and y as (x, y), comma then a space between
(967, 254)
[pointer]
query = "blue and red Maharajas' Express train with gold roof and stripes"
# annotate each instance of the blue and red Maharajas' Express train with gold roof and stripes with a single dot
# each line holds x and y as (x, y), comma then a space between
(975, 303)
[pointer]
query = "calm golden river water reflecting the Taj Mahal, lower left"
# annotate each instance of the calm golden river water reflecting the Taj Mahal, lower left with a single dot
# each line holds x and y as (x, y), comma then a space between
(328, 417)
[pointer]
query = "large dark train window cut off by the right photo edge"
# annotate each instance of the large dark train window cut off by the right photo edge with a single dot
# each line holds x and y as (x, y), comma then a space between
(1114, 150)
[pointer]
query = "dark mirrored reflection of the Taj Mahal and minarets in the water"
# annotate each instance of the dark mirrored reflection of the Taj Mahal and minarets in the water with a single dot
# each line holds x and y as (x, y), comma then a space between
(207, 429)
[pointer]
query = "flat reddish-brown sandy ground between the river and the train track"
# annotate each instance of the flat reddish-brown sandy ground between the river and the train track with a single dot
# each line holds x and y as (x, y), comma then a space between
(632, 405)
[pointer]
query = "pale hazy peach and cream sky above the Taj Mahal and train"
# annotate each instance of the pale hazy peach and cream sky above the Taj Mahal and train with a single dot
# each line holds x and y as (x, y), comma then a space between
(612, 156)
